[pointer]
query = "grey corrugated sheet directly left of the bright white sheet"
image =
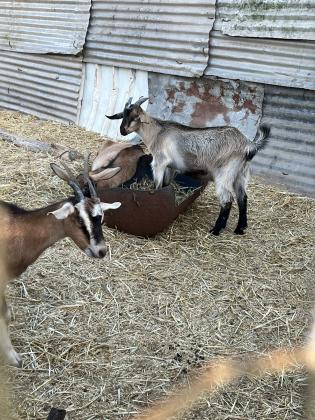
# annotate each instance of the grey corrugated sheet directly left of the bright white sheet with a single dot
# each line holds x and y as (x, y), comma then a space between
(47, 86)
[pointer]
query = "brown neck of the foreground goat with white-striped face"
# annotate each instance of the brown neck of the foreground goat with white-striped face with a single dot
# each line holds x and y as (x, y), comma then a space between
(28, 235)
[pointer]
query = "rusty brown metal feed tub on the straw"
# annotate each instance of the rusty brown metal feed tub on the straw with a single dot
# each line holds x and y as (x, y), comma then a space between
(146, 213)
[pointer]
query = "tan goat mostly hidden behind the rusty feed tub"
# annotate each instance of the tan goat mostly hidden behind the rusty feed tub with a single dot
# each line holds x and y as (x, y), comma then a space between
(115, 164)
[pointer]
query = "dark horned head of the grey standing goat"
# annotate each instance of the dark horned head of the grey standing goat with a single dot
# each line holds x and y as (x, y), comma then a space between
(131, 116)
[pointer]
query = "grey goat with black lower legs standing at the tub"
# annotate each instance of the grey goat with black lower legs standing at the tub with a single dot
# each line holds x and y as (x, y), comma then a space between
(221, 154)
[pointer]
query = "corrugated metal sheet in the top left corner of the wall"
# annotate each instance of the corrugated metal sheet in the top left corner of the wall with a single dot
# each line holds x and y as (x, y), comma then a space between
(57, 26)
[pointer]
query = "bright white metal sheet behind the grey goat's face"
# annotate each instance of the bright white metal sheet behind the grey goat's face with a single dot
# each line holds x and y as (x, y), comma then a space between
(106, 90)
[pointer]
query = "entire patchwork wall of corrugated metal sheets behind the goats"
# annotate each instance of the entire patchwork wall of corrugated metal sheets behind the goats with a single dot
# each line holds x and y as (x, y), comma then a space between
(272, 44)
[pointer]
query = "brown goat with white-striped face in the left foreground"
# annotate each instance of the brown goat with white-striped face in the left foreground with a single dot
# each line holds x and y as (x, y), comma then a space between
(26, 234)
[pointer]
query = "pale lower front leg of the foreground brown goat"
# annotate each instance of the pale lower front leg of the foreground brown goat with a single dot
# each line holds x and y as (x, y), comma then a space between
(11, 356)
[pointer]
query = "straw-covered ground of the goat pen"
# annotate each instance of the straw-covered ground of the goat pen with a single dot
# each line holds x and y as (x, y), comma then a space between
(104, 339)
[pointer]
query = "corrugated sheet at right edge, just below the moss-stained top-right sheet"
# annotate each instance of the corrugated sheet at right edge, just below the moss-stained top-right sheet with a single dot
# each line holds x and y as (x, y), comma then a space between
(275, 62)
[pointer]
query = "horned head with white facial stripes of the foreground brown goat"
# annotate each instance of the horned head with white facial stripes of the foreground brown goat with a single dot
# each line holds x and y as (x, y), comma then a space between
(83, 214)
